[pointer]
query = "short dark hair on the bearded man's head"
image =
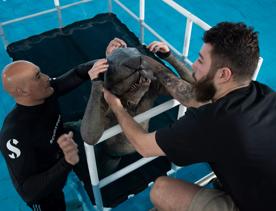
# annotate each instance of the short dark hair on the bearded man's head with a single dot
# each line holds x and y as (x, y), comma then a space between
(234, 46)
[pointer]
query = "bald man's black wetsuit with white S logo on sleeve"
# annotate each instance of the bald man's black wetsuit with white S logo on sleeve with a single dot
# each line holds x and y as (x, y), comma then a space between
(28, 141)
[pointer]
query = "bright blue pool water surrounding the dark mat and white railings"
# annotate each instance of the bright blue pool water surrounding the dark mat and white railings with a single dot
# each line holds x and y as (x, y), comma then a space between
(256, 13)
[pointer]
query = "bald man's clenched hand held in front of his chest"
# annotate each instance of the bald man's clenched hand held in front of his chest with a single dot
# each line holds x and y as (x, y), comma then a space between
(69, 148)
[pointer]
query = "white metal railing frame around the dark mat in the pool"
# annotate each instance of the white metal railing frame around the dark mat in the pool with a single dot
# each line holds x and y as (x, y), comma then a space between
(191, 19)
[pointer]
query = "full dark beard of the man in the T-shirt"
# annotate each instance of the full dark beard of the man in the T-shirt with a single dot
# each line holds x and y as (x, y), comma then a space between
(204, 88)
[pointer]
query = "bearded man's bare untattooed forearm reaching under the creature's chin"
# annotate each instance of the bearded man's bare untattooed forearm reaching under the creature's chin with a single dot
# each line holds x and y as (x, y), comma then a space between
(144, 142)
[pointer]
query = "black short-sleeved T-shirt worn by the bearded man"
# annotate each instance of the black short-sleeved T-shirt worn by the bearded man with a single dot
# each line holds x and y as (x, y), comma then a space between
(236, 136)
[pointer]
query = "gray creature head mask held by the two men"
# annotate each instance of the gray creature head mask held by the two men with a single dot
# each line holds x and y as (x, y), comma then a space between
(126, 77)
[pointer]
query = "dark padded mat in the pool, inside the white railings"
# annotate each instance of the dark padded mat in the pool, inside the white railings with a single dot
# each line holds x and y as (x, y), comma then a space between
(58, 50)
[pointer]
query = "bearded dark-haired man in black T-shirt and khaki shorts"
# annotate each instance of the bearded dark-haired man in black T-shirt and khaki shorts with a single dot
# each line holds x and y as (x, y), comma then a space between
(234, 132)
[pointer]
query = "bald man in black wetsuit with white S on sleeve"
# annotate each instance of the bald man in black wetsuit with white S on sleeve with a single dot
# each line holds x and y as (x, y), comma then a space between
(38, 151)
